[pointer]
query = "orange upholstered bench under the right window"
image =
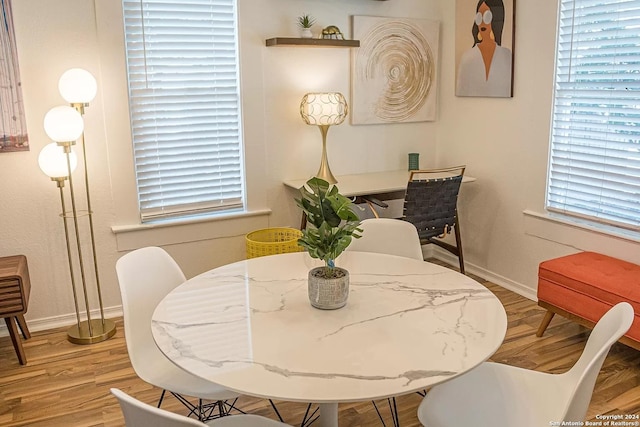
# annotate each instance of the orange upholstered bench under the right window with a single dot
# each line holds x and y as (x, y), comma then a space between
(583, 286)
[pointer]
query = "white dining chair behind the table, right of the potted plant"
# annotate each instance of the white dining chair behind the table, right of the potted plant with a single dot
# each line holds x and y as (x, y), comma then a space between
(388, 236)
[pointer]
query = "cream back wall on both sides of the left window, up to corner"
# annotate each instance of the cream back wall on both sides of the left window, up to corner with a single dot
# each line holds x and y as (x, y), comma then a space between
(55, 36)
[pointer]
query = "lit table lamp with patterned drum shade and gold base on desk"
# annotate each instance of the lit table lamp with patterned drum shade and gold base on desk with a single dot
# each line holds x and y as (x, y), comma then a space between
(324, 110)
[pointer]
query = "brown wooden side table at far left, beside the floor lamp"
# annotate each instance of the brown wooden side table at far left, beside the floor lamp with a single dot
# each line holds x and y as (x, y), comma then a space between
(14, 299)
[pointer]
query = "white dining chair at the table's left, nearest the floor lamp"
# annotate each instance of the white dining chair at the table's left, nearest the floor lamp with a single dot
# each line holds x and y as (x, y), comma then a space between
(145, 277)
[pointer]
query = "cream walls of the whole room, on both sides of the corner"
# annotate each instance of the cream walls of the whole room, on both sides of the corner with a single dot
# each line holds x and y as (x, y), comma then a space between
(504, 142)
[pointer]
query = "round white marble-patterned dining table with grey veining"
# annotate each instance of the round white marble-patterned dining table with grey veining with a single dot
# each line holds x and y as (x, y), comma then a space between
(408, 325)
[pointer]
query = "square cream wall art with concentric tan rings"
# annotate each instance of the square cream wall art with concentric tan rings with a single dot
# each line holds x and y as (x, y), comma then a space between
(393, 73)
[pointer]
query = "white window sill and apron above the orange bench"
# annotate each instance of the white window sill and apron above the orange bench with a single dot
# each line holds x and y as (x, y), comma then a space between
(579, 234)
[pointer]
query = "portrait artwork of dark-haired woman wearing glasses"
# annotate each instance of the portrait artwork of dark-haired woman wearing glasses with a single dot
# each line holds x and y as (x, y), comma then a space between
(485, 48)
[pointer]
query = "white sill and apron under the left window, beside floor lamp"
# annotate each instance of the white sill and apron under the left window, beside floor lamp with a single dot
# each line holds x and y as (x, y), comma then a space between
(134, 236)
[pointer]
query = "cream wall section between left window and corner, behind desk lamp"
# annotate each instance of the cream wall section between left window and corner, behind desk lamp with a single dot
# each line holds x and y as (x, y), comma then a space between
(293, 148)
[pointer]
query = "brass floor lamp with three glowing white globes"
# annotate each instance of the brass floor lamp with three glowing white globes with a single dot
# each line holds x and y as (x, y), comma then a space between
(64, 125)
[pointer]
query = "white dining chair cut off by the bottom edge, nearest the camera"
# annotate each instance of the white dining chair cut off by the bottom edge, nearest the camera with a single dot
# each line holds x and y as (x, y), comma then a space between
(139, 414)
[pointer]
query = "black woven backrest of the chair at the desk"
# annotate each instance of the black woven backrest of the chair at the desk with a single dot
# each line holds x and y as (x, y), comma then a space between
(431, 205)
